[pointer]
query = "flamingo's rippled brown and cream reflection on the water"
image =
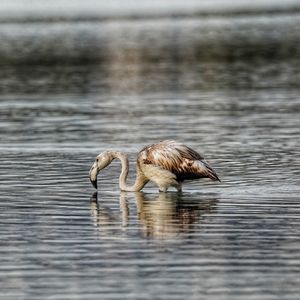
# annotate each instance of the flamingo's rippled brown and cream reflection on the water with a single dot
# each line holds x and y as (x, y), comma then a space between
(161, 215)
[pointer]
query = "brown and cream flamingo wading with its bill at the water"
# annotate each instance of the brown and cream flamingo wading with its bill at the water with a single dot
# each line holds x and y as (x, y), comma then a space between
(167, 163)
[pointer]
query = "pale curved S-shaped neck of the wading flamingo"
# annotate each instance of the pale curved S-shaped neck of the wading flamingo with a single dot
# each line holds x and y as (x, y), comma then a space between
(140, 180)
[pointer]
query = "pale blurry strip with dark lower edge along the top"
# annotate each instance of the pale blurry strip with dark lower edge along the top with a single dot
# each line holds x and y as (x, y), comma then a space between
(93, 10)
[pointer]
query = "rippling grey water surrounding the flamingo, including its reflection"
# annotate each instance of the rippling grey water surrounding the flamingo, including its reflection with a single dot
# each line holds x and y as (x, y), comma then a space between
(226, 86)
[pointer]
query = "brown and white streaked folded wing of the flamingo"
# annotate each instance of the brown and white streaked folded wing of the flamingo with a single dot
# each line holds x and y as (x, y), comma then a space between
(179, 159)
